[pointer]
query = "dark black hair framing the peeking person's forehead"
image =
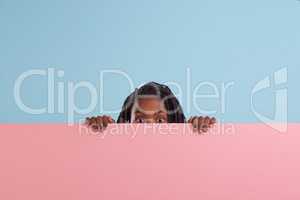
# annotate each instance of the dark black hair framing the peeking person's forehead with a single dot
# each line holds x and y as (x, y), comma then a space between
(172, 105)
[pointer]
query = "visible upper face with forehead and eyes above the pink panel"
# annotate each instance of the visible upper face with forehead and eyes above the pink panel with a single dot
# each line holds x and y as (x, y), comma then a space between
(149, 110)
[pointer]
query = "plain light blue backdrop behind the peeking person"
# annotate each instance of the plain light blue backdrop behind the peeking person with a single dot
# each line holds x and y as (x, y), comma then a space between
(220, 41)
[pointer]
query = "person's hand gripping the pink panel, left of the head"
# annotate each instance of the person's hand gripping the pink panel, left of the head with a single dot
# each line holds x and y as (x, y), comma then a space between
(99, 123)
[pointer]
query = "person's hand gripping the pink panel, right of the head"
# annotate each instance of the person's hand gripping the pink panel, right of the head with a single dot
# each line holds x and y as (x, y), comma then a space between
(202, 124)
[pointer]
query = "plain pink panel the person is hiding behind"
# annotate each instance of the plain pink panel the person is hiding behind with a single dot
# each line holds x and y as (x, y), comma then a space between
(60, 162)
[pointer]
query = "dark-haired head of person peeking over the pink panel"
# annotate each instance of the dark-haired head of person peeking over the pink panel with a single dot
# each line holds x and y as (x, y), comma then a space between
(151, 103)
